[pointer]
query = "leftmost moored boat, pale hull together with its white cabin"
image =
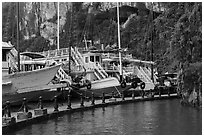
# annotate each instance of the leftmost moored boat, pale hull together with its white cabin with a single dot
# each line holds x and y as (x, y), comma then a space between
(29, 84)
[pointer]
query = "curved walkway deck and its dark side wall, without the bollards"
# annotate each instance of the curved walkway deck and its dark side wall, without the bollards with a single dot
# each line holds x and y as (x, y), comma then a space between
(75, 107)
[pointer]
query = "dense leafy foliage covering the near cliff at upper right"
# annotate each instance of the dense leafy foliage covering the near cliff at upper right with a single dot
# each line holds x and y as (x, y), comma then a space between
(179, 30)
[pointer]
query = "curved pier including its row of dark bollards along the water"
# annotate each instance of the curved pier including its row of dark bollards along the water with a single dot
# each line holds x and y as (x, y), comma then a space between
(18, 120)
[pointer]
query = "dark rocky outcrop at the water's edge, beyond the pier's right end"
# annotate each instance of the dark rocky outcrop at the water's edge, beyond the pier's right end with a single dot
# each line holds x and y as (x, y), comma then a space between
(190, 85)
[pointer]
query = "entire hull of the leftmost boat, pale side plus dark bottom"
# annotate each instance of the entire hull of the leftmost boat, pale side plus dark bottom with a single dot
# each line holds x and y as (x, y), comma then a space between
(27, 84)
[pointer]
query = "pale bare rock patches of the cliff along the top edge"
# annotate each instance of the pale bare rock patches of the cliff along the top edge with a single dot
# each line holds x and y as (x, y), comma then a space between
(40, 18)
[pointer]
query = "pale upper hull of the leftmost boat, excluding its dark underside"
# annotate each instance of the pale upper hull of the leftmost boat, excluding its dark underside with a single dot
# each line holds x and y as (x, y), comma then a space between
(23, 80)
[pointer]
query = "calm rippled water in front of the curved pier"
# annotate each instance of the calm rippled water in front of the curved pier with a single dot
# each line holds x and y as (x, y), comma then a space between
(150, 117)
